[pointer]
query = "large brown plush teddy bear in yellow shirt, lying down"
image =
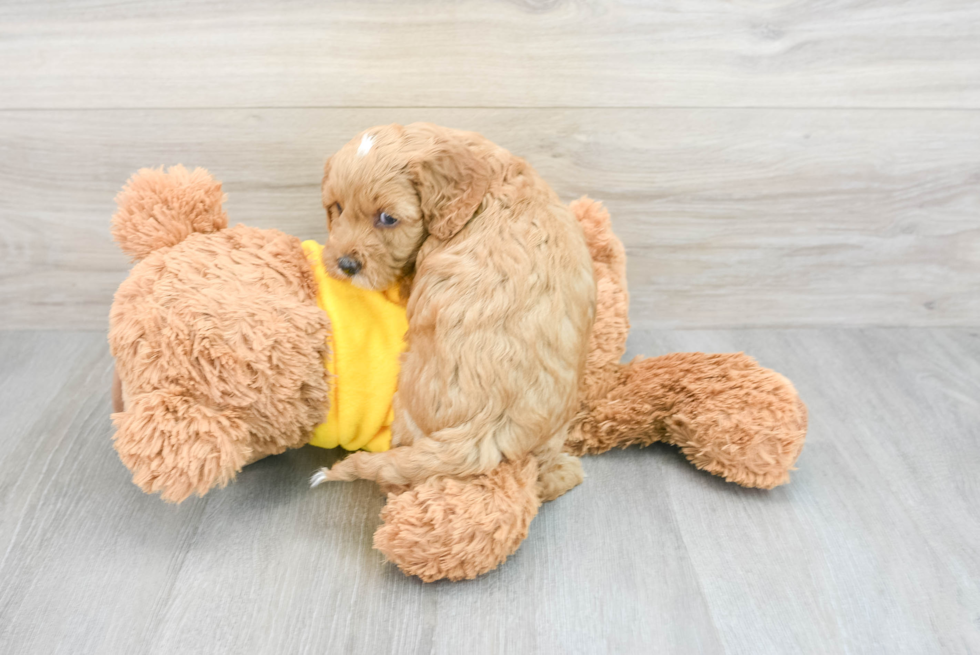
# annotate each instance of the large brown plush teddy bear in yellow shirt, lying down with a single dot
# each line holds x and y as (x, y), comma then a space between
(226, 352)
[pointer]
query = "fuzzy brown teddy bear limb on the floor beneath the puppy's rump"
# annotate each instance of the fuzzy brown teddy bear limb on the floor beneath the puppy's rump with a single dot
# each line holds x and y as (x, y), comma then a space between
(459, 529)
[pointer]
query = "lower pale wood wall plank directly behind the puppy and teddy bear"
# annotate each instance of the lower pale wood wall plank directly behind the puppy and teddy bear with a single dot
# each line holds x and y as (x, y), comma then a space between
(731, 217)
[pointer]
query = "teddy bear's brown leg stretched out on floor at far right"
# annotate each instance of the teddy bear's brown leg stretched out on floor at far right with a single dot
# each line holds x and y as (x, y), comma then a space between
(727, 414)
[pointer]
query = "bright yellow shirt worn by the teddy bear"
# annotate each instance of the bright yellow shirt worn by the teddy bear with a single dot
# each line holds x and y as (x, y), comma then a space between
(367, 338)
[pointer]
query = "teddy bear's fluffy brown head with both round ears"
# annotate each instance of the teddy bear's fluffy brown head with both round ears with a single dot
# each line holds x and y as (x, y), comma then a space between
(217, 337)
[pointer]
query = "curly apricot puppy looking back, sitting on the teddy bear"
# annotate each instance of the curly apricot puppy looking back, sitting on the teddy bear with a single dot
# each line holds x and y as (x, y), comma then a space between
(501, 303)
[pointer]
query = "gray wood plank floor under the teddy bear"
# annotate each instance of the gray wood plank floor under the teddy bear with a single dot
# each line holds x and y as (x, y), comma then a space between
(873, 547)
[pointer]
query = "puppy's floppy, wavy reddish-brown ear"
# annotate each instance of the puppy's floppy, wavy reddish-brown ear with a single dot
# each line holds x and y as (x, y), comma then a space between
(451, 182)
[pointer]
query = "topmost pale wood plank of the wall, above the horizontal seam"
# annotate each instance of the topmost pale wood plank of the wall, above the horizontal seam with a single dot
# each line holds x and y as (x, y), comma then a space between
(525, 53)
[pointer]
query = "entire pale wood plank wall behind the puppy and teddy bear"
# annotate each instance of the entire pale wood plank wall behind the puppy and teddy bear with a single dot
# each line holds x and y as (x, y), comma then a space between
(767, 163)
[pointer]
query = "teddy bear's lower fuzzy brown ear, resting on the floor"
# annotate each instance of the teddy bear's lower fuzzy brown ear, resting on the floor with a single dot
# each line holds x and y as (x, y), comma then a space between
(177, 446)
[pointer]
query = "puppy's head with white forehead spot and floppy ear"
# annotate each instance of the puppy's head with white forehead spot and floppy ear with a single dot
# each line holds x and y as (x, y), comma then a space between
(390, 189)
